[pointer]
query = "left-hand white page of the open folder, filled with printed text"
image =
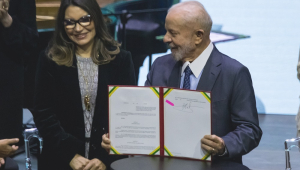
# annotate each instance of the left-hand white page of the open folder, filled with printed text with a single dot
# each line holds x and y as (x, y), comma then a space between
(134, 120)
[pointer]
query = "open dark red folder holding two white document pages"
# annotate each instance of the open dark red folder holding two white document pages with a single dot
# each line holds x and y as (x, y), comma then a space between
(159, 121)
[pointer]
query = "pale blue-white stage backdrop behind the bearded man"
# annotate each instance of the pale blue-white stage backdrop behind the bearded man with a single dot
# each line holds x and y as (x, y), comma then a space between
(271, 54)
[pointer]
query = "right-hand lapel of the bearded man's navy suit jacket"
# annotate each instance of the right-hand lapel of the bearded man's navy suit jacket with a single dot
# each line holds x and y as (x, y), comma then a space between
(211, 71)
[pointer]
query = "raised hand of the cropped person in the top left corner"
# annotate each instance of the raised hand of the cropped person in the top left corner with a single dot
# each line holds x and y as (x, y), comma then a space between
(5, 18)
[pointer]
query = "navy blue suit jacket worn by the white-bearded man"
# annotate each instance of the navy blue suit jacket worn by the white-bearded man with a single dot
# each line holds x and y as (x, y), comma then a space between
(234, 114)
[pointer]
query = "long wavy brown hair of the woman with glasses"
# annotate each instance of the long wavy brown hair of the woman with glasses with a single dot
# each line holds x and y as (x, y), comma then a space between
(61, 49)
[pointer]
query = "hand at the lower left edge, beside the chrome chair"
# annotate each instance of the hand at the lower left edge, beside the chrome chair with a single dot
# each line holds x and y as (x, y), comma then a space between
(5, 147)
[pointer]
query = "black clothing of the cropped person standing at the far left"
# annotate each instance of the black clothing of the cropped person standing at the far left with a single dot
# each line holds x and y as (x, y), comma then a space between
(17, 43)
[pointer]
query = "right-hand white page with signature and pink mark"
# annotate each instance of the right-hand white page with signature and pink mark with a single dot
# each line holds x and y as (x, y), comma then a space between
(187, 118)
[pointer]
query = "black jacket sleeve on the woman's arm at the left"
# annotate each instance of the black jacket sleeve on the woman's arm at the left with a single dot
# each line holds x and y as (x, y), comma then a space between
(45, 113)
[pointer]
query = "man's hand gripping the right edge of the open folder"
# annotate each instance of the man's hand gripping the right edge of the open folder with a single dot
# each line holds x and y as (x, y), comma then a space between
(213, 144)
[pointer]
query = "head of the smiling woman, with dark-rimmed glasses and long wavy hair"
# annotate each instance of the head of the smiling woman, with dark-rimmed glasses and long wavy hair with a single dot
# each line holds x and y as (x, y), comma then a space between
(91, 40)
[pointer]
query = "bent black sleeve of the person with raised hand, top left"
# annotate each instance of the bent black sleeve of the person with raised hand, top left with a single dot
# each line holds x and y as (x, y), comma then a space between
(21, 37)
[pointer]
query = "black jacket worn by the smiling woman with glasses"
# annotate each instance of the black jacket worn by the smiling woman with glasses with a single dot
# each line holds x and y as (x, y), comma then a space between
(58, 112)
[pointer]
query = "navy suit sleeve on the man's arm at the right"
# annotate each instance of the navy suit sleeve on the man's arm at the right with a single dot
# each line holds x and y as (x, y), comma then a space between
(247, 133)
